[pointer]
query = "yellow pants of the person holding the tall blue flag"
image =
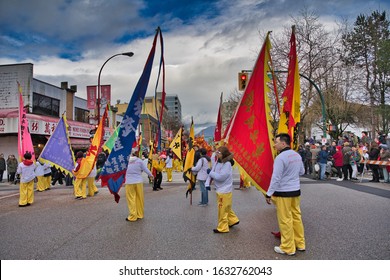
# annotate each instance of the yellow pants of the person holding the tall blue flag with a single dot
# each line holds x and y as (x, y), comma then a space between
(135, 201)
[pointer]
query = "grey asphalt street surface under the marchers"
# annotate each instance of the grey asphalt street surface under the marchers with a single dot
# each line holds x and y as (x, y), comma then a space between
(343, 221)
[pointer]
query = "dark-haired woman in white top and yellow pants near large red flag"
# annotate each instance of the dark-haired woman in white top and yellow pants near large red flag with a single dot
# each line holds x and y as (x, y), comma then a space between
(222, 174)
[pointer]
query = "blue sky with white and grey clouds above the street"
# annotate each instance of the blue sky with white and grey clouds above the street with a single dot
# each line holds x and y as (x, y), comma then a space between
(206, 42)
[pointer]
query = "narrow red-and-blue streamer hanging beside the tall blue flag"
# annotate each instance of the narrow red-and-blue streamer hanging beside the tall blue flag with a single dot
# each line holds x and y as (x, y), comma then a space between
(160, 115)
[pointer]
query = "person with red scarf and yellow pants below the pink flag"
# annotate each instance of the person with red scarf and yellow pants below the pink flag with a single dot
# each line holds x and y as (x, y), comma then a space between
(27, 175)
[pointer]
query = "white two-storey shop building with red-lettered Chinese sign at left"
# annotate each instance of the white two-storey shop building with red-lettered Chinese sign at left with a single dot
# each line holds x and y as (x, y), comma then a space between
(45, 105)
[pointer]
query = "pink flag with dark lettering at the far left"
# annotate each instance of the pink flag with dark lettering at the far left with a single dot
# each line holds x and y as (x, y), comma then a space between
(24, 137)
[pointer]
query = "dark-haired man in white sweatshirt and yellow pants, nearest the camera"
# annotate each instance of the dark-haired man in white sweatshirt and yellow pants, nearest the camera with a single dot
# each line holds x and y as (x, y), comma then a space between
(285, 192)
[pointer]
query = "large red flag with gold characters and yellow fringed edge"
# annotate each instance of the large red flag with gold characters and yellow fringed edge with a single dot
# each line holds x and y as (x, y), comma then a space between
(250, 132)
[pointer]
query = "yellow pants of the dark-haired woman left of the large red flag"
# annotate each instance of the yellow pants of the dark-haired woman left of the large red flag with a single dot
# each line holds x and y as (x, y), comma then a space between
(226, 215)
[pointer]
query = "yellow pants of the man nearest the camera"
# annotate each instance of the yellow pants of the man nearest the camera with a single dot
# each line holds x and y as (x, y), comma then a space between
(290, 223)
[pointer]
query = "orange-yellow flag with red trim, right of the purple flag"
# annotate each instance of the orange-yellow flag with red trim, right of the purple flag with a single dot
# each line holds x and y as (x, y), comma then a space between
(88, 162)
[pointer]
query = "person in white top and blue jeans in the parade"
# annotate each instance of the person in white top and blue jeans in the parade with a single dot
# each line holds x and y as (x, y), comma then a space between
(200, 169)
